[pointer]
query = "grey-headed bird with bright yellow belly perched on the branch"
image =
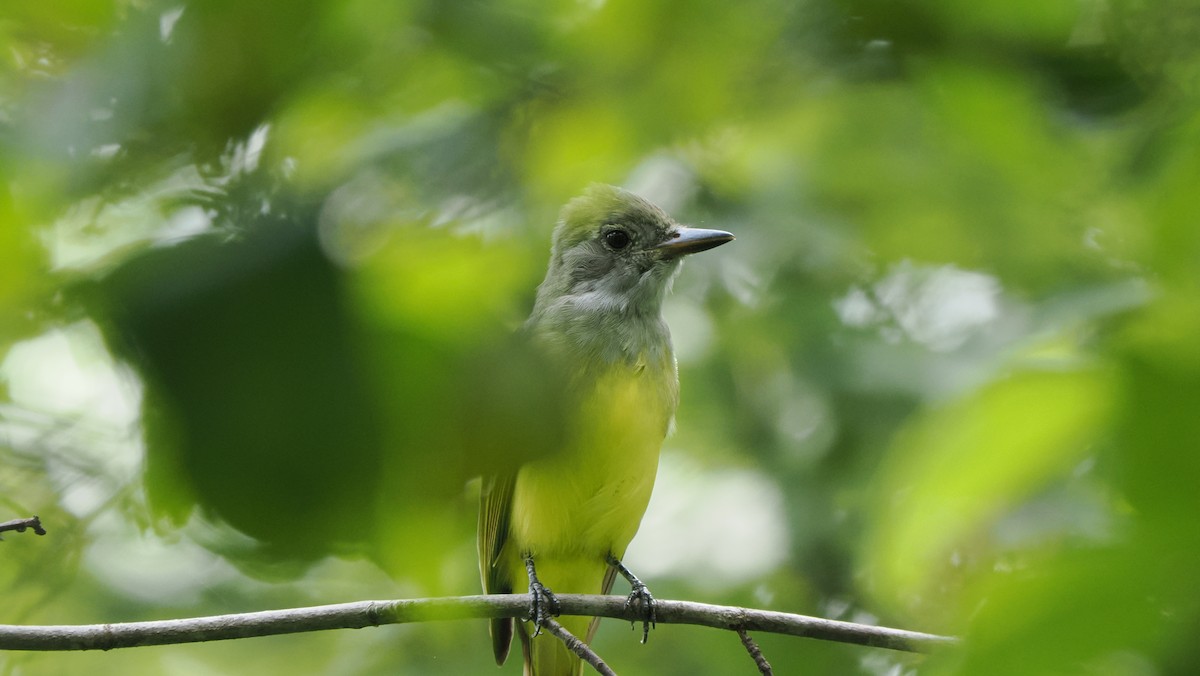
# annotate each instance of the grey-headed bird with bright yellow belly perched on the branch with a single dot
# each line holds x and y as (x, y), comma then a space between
(563, 522)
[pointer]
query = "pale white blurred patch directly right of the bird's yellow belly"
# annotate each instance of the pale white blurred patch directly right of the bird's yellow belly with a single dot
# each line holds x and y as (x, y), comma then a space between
(725, 525)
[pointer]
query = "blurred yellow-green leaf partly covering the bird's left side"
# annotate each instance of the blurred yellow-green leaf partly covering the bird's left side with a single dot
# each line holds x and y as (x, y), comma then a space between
(463, 394)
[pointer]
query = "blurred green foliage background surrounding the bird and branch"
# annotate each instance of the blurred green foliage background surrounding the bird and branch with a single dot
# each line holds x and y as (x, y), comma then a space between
(261, 262)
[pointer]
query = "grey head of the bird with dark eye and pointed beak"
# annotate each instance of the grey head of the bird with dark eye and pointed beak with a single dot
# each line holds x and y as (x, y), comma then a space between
(615, 250)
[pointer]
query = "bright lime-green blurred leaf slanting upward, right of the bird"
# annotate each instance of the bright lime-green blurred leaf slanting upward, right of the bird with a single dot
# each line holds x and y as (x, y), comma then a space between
(953, 470)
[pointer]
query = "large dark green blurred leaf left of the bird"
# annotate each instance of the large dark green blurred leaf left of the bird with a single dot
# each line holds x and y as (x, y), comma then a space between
(259, 398)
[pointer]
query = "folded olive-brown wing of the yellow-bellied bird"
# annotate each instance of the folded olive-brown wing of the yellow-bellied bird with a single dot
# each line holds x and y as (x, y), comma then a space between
(495, 510)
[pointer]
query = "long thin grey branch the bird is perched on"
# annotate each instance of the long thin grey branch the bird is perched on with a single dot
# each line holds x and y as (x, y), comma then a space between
(376, 613)
